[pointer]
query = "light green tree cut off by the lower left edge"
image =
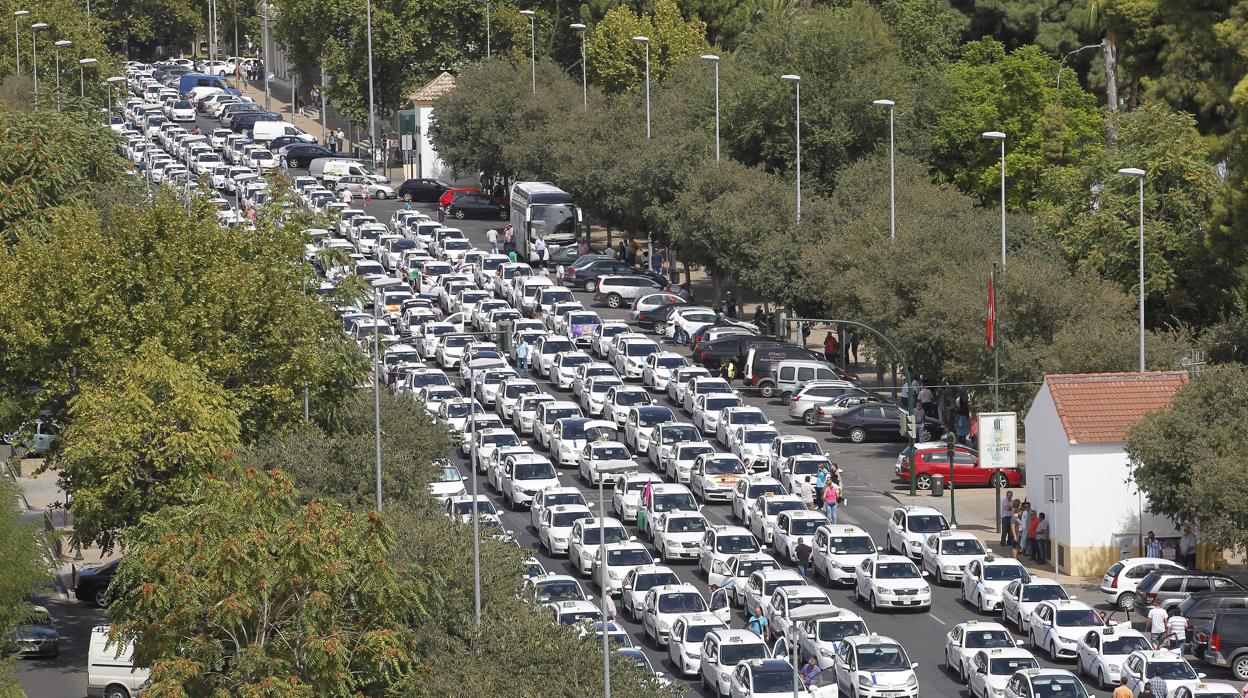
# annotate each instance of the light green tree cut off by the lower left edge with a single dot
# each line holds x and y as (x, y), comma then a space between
(24, 559)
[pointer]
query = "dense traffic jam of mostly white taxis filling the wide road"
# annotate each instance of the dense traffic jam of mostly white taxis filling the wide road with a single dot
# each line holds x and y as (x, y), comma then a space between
(595, 426)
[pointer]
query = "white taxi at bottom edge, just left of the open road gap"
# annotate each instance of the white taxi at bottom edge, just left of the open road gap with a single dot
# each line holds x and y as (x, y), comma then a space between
(875, 667)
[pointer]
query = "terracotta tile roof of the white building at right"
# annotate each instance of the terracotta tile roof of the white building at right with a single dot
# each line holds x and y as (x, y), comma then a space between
(1103, 408)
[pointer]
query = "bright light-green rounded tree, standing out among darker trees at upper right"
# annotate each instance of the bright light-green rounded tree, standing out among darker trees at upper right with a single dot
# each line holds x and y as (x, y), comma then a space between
(992, 91)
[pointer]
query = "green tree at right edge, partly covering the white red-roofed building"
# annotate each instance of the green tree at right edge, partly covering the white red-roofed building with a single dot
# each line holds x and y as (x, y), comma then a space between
(1190, 461)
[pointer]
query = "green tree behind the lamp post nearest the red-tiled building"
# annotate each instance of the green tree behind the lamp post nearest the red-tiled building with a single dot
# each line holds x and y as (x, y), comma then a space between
(1096, 217)
